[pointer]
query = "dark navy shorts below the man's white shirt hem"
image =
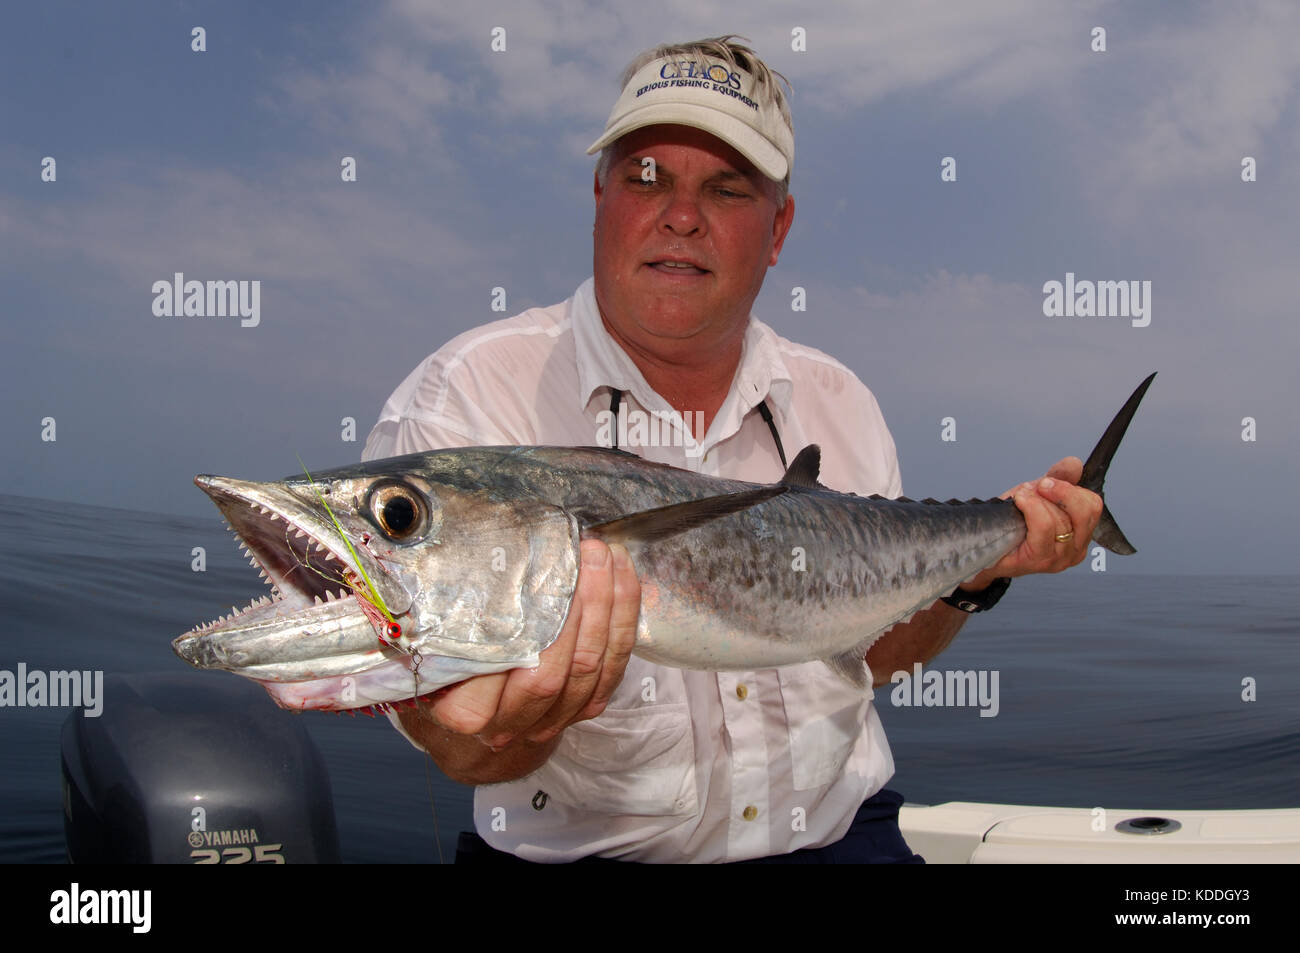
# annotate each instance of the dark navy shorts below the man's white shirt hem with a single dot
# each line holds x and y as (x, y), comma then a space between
(873, 838)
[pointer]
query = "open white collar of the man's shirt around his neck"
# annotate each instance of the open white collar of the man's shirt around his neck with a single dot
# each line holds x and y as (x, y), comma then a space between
(603, 365)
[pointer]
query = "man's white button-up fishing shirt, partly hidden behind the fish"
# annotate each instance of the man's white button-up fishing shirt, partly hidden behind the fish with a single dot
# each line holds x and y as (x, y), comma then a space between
(683, 765)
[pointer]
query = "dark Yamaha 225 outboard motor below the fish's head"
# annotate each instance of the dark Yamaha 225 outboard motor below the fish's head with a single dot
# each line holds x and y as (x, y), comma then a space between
(194, 770)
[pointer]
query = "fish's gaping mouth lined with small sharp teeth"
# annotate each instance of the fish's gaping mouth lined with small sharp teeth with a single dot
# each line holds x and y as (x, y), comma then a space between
(319, 591)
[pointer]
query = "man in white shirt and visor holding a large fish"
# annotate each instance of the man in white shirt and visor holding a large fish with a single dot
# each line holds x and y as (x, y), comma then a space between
(601, 753)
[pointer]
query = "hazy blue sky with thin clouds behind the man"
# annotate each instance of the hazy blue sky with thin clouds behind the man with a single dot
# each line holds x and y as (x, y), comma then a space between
(1124, 164)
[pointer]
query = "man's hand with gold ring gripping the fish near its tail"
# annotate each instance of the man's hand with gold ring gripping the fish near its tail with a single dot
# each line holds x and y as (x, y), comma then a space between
(1052, 506)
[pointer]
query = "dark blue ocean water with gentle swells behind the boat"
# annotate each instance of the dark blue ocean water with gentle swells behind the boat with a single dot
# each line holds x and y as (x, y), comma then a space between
(1117, 691)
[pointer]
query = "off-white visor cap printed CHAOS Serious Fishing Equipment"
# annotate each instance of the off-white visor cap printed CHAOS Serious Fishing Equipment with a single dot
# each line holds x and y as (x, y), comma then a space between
(709, 94)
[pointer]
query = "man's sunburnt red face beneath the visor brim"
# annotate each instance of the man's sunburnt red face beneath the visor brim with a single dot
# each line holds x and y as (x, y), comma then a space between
(681, 259)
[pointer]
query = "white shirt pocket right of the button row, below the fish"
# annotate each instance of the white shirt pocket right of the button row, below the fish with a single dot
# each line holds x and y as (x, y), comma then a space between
(826, 717)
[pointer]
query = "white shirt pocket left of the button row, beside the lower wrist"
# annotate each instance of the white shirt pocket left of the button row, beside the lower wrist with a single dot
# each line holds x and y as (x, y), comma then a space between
(627, 761)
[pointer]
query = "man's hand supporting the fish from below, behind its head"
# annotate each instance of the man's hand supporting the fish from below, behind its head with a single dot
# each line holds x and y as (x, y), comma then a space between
(497, 727)
